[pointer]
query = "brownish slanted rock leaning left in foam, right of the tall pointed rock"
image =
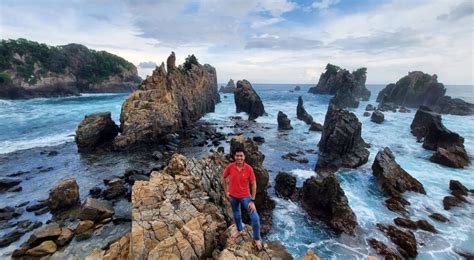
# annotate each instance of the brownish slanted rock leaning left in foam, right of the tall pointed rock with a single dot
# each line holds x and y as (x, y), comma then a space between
(394, 180)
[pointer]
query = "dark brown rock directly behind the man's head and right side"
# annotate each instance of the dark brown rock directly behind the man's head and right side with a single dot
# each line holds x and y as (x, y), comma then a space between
(255, 158)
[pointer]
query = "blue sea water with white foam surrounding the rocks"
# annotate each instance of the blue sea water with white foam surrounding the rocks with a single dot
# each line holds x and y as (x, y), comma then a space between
(41, 125)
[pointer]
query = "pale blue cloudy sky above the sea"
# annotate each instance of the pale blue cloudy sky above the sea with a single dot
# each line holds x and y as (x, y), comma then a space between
(263, 41)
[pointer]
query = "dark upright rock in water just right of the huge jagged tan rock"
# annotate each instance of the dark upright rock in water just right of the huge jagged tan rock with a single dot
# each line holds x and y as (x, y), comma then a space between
(247, 100)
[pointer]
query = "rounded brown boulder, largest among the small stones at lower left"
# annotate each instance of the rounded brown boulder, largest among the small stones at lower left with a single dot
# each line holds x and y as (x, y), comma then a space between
(64, 195)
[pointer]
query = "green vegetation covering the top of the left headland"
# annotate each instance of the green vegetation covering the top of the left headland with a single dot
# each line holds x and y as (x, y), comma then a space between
(30, 60)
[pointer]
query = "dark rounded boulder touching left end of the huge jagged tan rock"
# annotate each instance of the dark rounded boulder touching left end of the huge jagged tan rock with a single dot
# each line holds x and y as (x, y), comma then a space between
(94, 131)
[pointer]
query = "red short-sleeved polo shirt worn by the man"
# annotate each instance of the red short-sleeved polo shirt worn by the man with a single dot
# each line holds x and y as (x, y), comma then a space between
(239, 180)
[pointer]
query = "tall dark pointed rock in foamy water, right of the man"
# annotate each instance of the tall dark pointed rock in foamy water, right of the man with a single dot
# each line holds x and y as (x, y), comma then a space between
(341, 144)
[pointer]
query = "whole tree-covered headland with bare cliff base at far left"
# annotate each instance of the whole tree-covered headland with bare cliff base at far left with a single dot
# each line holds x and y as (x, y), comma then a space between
(29, 69)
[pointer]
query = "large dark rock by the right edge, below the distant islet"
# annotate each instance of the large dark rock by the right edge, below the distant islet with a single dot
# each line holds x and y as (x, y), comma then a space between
(448, 146)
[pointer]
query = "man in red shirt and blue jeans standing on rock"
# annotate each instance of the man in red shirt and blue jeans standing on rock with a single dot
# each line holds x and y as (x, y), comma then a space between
(237, 191)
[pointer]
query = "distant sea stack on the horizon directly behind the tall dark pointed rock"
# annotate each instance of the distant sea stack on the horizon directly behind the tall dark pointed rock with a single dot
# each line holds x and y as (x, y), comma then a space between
(335, 79)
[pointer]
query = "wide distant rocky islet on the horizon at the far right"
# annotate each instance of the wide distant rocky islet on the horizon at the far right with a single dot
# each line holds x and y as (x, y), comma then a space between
(419, 88)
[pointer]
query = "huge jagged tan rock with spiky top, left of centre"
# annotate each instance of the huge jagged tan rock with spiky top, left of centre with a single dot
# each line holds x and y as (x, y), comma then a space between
(166, 102)
